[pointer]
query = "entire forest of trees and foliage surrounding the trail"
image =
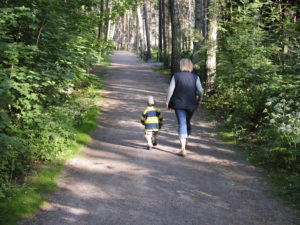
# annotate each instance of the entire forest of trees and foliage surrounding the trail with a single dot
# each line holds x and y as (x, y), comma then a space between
(246, 53)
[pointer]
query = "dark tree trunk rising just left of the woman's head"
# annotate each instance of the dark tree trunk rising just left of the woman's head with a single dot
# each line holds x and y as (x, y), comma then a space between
(176, 50)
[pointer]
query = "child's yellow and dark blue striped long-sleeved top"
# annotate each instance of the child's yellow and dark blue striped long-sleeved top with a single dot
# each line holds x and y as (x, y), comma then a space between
(152, 119)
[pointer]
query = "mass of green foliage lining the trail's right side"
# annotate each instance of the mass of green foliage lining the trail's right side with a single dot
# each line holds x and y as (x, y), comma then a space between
(257, 85)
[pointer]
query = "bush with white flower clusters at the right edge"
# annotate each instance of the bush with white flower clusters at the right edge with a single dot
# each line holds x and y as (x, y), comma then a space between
(282, 126)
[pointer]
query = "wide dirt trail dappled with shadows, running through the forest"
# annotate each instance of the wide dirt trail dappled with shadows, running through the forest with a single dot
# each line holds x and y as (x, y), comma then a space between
(118, 182)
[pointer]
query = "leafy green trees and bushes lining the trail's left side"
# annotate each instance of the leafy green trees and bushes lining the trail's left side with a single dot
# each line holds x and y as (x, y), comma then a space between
(45, 51)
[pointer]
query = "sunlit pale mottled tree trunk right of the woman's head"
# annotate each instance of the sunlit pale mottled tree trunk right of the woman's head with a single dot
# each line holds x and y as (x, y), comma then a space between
(211, 62)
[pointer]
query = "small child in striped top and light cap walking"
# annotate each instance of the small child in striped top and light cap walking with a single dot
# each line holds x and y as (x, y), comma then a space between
(152, 120)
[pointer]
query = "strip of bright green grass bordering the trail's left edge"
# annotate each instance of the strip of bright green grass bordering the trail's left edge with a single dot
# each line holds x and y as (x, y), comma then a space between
(24, 200)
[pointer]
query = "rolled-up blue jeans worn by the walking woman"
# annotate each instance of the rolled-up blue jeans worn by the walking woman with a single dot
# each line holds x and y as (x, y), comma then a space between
(184, 117)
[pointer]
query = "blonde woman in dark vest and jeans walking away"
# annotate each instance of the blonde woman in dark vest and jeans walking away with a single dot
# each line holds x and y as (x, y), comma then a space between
(182, 97)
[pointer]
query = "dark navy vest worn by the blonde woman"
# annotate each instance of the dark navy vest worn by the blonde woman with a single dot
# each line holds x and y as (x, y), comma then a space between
(184, 95)
